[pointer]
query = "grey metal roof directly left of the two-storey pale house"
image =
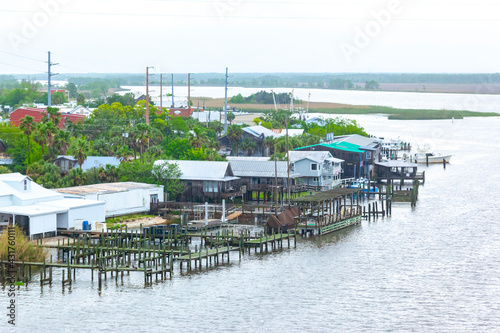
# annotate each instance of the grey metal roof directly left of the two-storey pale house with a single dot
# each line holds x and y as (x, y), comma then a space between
(242, 168)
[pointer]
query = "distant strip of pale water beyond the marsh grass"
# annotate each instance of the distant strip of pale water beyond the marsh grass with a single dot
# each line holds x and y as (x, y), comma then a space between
(409, 100)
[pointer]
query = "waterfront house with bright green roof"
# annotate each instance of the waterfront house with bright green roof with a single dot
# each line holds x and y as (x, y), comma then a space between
(354, 156)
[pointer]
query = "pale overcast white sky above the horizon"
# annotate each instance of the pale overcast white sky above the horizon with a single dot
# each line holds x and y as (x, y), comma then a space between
(363, 36)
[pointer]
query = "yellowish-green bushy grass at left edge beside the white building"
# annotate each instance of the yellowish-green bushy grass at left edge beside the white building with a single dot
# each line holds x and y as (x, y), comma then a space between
(24, 250)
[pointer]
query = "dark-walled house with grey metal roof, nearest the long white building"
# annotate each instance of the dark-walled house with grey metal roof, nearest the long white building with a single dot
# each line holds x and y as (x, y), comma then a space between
(206, 180)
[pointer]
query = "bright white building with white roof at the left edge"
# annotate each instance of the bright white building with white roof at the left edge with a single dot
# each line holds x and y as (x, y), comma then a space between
(39, 211)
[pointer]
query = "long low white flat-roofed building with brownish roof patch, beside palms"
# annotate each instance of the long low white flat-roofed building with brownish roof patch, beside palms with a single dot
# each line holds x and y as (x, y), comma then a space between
(120, 198)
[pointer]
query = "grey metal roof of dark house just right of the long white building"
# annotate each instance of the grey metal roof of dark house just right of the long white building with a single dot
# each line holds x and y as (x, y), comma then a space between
(202, 170)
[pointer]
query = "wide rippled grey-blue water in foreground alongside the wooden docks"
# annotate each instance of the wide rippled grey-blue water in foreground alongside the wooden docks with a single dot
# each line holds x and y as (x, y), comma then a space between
(435, 268)
